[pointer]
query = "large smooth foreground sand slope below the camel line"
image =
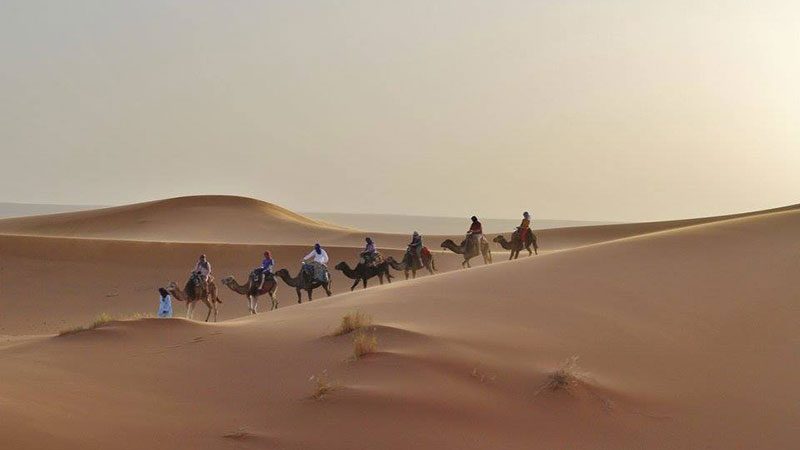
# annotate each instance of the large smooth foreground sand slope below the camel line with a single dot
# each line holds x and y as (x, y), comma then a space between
(688, 338)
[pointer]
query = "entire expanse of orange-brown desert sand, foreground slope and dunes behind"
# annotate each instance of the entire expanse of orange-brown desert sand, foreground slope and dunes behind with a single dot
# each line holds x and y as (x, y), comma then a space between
(685, 332)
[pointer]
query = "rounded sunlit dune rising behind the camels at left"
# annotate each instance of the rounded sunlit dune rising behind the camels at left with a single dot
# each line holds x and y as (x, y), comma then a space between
(208, 219)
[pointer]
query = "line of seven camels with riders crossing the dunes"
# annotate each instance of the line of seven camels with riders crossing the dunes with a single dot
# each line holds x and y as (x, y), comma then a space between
(314, 272)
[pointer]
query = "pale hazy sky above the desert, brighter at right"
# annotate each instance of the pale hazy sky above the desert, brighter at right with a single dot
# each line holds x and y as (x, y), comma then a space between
(605, 110)
